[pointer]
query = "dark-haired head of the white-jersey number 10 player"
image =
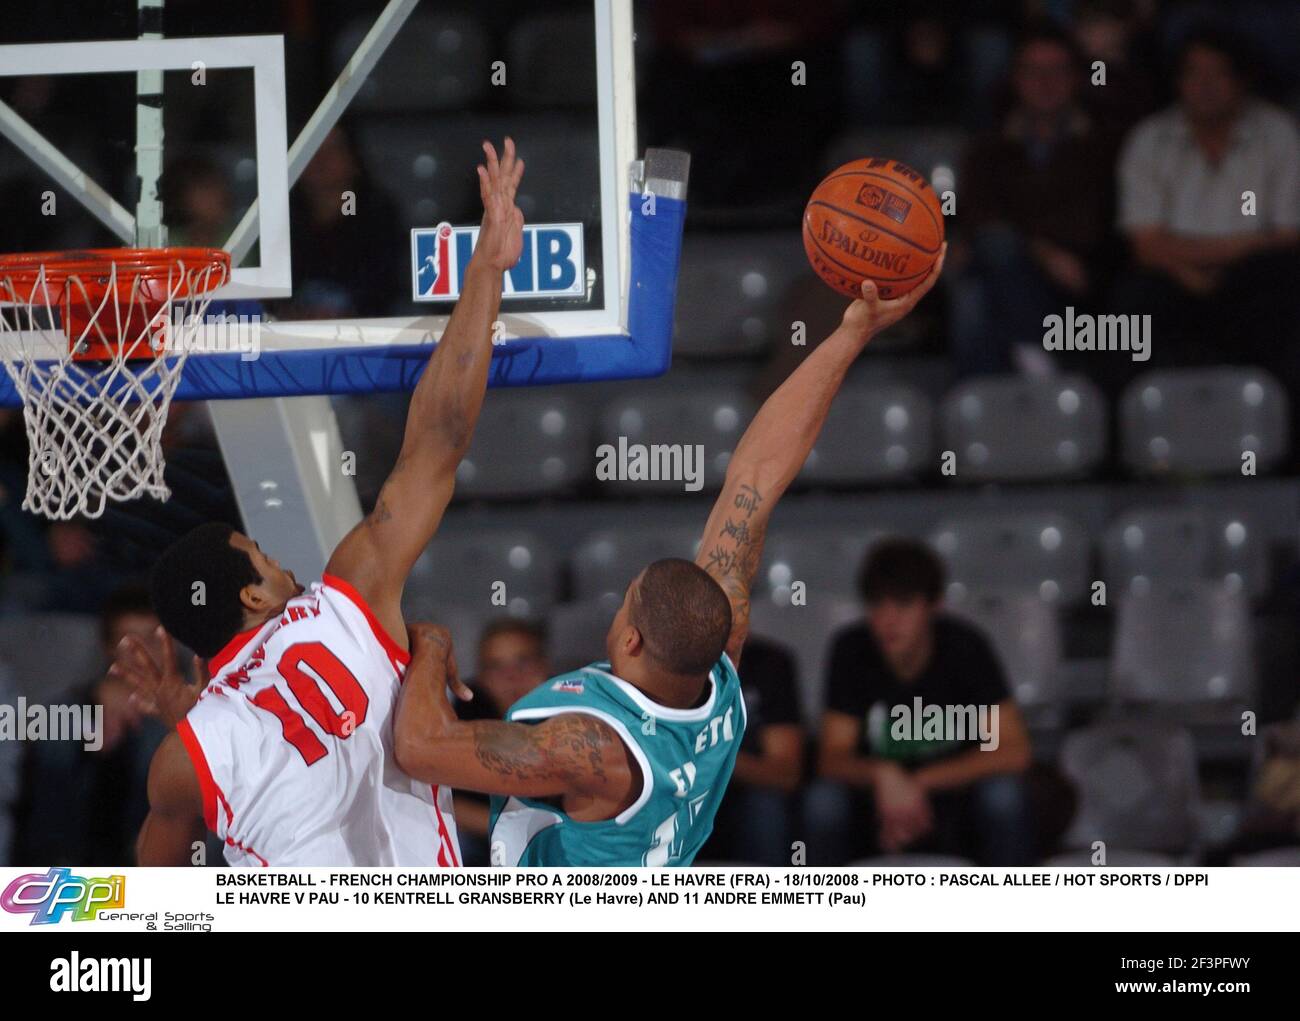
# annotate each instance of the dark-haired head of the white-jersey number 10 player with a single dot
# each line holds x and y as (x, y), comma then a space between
(214, 583)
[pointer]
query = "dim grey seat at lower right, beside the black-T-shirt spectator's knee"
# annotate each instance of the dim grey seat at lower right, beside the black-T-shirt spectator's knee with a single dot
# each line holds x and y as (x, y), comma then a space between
(1137, 785)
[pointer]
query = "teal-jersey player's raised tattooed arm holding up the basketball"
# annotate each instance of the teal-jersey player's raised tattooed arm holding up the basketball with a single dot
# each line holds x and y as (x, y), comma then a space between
(778, 443)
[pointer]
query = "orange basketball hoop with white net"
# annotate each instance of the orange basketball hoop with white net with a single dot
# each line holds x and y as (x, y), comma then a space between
(96, 343)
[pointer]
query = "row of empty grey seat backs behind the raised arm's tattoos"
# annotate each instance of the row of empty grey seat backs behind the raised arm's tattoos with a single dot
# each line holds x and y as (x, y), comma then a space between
(1042, 553)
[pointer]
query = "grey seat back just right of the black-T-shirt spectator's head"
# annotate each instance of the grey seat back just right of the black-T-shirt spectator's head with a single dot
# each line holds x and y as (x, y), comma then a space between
(1037, 552)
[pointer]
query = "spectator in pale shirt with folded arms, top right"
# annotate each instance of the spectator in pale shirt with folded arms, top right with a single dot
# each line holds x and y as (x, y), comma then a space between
(1216, 275)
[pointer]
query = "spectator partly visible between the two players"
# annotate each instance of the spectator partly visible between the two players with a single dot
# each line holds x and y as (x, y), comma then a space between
(512, 663)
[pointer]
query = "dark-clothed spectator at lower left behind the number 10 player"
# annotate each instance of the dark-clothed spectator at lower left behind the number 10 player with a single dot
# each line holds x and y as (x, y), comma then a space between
(83, 807)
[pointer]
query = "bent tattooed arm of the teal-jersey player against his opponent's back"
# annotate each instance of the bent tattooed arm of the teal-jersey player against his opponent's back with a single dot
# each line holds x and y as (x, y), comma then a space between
(570, 756)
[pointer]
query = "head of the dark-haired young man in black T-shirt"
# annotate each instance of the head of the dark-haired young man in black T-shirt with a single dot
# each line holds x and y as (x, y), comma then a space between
(902, 583)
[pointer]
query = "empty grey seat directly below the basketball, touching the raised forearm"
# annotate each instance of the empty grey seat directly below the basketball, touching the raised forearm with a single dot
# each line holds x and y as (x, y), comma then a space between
(874, 434)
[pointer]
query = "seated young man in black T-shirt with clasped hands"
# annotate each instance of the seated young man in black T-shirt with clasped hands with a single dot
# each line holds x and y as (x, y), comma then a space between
(886, 790)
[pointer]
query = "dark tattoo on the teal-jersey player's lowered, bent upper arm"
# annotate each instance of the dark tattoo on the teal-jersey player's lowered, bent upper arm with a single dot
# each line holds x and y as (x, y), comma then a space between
(569, 750)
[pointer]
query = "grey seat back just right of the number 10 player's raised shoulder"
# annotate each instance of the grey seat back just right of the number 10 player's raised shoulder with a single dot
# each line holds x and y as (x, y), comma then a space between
(461, 570)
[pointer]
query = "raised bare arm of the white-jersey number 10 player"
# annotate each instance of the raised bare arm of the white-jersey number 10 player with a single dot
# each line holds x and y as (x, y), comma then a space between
(378, 555)
